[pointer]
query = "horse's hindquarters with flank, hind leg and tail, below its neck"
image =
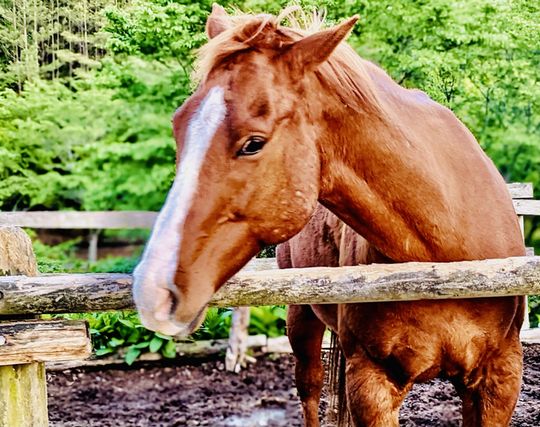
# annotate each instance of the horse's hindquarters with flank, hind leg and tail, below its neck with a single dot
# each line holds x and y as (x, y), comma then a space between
(324, 241)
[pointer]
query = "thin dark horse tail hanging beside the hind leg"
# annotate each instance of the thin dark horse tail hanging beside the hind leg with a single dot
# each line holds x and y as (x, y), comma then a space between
(337, 408)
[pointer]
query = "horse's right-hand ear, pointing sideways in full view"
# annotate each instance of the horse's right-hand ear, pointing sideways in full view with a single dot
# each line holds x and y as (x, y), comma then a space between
(306, 54)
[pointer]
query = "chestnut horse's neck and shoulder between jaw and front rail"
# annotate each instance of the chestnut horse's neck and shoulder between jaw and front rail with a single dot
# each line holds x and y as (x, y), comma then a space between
(407, 195)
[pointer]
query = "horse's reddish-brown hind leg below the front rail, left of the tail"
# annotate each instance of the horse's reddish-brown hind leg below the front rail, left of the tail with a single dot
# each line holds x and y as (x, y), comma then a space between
(305, 332)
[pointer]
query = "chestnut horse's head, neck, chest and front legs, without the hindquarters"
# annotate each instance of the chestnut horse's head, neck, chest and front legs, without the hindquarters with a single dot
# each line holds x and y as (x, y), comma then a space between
(283, 118)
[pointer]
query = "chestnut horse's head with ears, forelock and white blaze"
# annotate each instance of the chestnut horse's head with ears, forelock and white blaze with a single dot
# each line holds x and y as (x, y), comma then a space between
(248, 164)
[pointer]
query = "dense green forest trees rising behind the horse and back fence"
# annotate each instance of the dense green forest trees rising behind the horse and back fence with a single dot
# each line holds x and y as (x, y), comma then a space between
(88, 88)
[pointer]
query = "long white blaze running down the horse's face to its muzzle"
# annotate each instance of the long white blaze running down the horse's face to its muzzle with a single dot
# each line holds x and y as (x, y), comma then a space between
(154, 276)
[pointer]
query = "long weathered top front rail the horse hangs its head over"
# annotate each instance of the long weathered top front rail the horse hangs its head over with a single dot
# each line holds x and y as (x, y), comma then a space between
(320, 285)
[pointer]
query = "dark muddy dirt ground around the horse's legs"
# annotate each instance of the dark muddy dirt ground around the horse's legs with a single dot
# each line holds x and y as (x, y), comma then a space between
(202, 394)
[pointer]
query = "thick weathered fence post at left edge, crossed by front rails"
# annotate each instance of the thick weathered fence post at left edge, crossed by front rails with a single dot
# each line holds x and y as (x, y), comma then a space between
(23, 388)
